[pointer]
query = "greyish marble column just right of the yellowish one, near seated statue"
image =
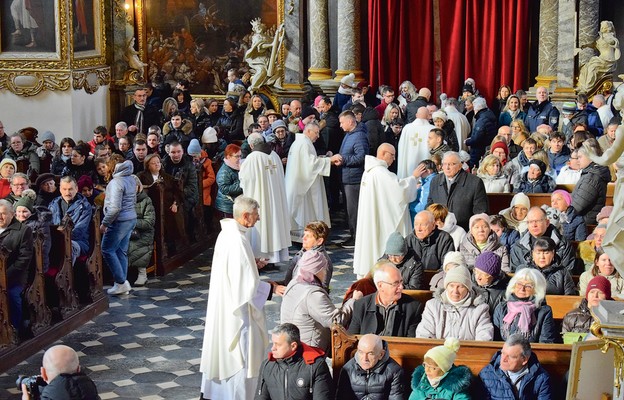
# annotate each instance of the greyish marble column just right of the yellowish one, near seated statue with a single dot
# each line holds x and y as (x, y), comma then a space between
(566, 44)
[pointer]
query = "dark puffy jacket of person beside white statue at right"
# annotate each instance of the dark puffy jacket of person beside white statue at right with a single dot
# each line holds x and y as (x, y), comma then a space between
(590, 192)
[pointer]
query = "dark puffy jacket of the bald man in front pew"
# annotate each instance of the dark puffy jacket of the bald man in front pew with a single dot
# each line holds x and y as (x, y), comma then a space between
(384, 381)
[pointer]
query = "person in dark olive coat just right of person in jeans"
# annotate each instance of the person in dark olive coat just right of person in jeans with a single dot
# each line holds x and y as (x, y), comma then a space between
(142, 237)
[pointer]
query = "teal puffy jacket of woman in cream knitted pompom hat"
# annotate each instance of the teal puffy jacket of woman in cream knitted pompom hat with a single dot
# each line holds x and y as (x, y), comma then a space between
(454, 386)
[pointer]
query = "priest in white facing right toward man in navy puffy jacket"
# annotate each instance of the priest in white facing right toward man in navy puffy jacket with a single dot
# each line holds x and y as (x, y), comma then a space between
(305, 189)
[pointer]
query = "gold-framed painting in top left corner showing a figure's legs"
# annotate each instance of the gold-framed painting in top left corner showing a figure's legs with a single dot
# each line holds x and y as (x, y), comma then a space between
(28, 29)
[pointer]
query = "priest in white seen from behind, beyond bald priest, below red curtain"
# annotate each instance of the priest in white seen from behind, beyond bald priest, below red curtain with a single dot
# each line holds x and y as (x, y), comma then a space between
(413, 143)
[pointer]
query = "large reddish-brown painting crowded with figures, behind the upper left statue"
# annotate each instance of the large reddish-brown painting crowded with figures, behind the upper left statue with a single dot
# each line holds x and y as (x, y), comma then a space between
(199, 41)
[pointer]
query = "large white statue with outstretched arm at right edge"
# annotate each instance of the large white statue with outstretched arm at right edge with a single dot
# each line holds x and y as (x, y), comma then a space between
(613, 242)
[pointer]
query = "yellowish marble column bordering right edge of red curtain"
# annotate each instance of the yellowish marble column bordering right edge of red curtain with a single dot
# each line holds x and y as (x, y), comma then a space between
(547, 50)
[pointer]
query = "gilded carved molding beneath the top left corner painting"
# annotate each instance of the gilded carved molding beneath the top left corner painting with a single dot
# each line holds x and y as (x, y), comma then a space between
(31, 83)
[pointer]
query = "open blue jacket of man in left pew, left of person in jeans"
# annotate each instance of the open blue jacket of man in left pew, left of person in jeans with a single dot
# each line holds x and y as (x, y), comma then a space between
(80, 212)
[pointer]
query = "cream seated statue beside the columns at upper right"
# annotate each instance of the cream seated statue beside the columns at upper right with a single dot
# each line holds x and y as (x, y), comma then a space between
(604, 63)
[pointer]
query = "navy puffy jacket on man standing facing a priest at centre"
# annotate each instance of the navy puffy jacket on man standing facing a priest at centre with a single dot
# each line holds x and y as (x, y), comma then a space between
(353, 150)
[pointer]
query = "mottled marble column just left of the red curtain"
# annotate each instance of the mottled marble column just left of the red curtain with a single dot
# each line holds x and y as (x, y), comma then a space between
(349, 55)
